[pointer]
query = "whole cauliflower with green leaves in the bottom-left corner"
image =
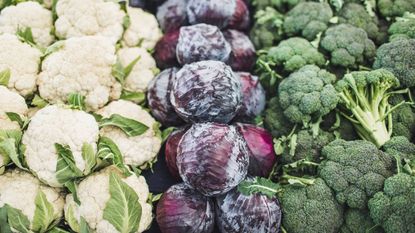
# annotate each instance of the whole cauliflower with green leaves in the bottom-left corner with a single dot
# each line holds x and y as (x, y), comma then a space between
(36, 205)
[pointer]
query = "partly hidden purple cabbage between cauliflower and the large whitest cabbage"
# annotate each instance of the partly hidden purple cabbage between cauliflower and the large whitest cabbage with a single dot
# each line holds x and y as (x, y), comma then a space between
(158, 97)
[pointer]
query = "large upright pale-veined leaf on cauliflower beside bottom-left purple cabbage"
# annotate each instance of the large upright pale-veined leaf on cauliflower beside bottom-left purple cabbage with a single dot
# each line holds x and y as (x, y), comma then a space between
(122, 210)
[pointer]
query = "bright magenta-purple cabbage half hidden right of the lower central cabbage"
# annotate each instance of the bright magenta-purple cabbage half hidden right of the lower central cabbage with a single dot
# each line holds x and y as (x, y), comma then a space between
(262, 157)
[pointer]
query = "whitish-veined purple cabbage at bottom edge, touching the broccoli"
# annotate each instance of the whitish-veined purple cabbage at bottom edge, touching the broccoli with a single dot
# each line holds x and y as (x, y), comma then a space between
(257, 213)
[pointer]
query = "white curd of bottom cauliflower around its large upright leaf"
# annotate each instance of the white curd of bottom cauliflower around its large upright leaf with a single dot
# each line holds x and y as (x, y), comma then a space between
(94, 193)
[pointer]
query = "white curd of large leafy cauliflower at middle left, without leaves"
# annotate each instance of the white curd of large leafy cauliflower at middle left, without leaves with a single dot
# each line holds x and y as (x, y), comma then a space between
(51, 125)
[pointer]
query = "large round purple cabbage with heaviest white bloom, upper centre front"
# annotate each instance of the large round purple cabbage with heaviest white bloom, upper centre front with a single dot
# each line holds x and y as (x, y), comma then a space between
(206, 91)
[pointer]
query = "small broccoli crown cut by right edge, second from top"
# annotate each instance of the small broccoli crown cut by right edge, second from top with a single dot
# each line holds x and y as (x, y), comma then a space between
(403, 28)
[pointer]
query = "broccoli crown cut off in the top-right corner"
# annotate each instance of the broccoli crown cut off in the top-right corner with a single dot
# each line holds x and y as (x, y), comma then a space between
(393, 8)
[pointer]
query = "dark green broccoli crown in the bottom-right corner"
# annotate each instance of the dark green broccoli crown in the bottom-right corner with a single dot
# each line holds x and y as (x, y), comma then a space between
(394, 208)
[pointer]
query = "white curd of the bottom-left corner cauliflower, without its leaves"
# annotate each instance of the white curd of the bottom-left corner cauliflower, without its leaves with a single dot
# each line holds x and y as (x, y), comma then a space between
(19, 189)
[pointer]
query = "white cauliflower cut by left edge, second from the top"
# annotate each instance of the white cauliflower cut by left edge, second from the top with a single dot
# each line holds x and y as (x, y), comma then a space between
(23, 62)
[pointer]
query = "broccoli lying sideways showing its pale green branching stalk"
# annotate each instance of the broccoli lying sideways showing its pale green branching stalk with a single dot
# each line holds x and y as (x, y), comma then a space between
(364, 100)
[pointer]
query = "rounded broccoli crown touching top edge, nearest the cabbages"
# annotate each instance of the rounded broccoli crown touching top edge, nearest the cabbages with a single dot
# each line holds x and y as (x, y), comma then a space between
(308, 19)
